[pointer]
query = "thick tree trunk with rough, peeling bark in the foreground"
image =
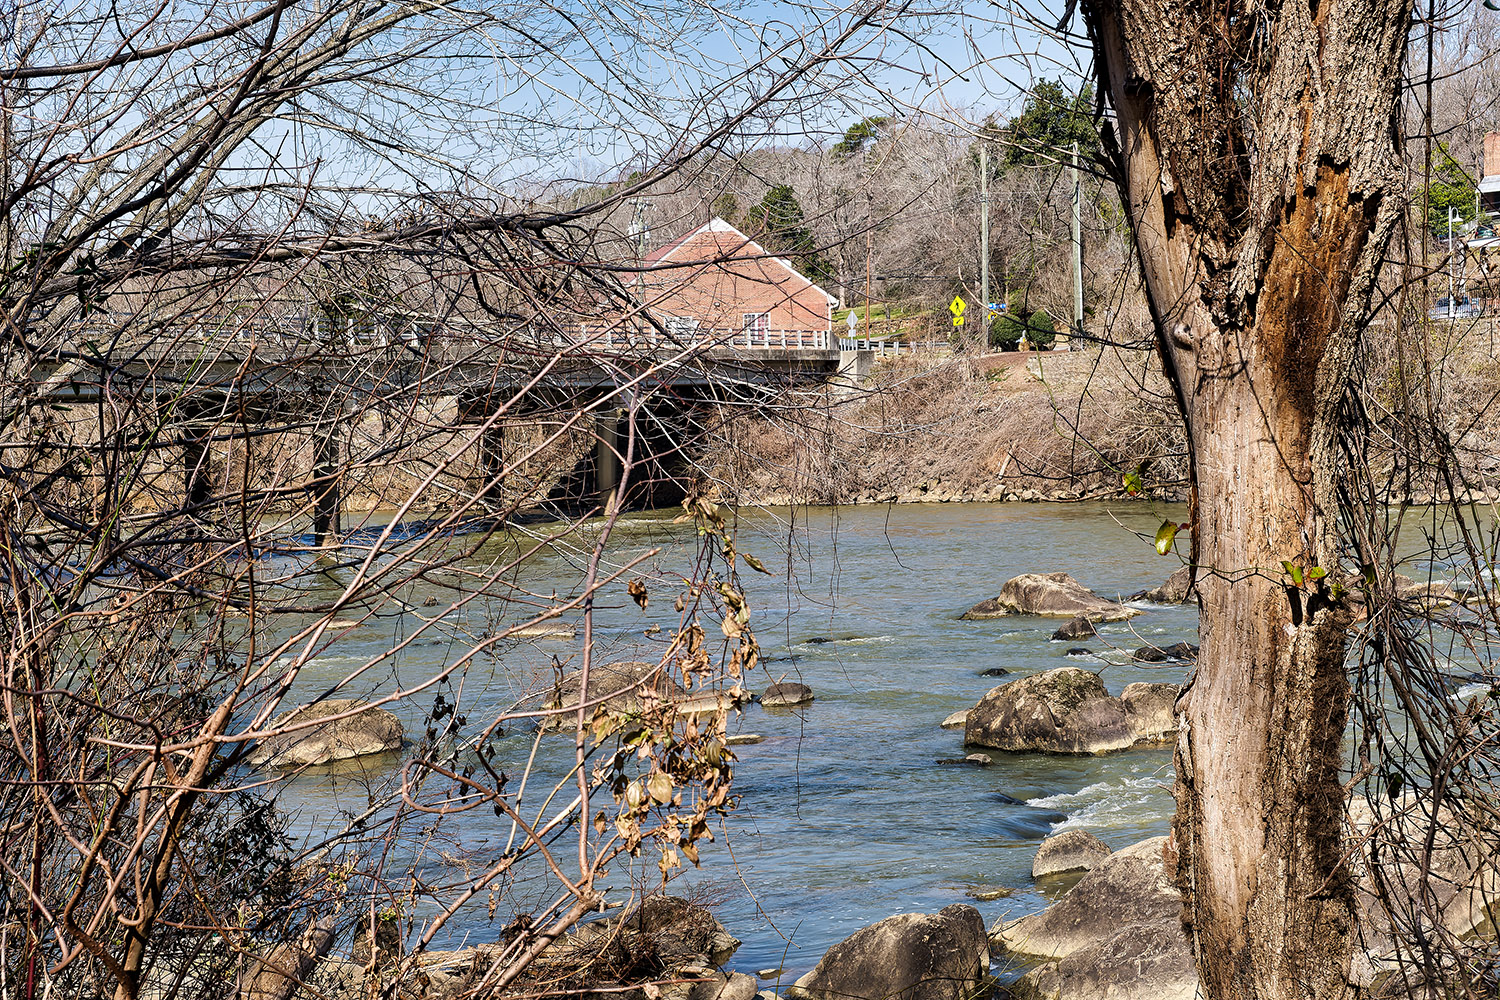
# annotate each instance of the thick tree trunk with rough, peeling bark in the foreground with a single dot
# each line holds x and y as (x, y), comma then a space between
(1256, 149)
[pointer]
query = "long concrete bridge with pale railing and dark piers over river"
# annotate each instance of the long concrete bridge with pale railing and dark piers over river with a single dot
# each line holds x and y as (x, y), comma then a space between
(278, 370)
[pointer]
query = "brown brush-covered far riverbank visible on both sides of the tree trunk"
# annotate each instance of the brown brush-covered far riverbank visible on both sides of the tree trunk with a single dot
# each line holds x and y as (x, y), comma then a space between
(1070, 427)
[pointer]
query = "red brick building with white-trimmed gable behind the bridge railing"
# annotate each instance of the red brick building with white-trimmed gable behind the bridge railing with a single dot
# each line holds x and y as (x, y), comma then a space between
(719, 284)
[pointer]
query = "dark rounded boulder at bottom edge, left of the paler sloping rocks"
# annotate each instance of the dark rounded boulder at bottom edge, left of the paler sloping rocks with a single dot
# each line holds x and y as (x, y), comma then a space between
(911, 957)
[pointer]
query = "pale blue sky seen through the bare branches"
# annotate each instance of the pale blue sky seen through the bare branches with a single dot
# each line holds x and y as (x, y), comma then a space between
(524, 94)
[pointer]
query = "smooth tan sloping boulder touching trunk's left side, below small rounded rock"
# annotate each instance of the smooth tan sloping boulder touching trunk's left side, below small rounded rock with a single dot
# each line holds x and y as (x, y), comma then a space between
(1124, 890)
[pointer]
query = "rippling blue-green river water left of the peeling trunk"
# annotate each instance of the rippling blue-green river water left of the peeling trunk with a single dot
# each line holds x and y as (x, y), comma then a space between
(845, 818)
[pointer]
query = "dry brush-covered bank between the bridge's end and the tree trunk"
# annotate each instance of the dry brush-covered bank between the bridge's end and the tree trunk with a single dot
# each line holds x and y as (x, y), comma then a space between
(925, 428)
